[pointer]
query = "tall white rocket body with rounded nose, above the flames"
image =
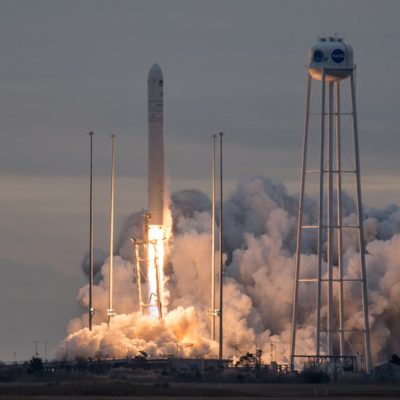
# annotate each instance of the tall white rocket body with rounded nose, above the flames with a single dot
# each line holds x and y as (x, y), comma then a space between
(156, 180)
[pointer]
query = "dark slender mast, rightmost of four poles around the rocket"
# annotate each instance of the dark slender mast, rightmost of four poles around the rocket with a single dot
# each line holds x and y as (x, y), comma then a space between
(221, 297)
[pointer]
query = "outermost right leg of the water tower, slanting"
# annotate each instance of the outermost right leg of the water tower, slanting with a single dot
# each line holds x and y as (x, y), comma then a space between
(361, 227)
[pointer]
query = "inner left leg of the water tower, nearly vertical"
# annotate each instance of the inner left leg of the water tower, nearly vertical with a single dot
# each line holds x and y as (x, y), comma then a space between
(320, 213)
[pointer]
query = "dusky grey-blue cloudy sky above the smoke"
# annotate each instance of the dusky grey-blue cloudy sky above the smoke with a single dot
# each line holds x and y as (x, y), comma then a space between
(68, 67)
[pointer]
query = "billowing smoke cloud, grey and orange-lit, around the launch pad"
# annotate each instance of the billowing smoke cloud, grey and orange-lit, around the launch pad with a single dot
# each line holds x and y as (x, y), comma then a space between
(259, 240)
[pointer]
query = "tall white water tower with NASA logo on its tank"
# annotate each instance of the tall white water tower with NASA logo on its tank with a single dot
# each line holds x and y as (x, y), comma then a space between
(333, 160)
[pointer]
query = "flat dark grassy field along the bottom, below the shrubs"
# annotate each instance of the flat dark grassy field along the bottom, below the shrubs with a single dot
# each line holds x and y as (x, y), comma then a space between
(78, 391)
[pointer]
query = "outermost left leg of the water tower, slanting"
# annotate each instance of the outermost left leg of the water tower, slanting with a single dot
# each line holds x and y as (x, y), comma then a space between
(300, 223)
